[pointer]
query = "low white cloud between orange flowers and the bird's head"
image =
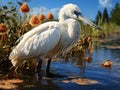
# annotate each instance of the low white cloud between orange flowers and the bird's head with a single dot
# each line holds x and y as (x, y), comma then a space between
(45, 11)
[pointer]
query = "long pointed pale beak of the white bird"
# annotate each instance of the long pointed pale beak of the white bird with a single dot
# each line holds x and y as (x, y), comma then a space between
(89, 22)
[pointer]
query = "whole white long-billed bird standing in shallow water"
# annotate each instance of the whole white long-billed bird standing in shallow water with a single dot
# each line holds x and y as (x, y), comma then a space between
(50, 38)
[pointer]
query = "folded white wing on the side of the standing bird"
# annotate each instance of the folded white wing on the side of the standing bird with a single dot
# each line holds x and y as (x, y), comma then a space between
(38, 42)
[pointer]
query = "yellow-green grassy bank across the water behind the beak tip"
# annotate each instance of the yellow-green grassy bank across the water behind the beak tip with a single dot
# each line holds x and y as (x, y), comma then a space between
(108, 30)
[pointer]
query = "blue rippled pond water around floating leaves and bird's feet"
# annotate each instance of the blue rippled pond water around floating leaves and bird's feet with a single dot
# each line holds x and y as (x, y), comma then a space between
(108, 79)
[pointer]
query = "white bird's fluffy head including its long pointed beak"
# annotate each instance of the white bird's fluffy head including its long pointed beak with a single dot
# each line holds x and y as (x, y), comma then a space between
(73, 11)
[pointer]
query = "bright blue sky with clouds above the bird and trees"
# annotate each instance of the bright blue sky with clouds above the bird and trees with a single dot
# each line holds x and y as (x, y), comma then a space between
(89, 8)
